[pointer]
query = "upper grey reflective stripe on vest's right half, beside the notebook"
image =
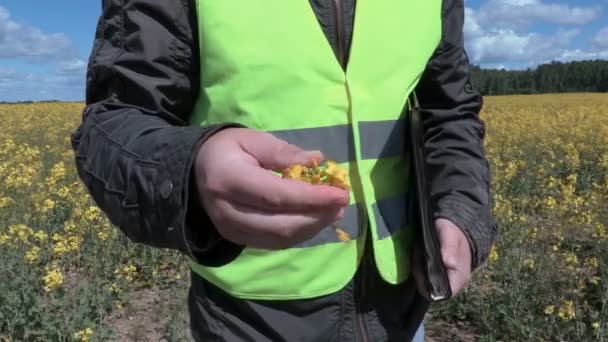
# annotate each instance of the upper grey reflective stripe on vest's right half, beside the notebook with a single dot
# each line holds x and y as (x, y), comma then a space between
(381, 139)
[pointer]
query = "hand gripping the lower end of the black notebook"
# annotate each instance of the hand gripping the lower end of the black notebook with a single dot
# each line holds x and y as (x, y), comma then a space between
(456, 254)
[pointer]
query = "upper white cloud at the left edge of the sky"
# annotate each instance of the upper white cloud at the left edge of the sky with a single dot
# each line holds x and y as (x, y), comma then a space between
(23, 41)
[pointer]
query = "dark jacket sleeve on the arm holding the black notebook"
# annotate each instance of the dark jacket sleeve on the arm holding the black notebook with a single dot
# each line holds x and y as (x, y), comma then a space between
(454, 133)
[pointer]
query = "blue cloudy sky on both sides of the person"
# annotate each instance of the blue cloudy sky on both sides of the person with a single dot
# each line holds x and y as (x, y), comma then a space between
(44, 45)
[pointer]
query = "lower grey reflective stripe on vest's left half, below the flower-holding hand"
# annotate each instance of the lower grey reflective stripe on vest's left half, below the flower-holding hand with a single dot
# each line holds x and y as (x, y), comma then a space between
(350, 224)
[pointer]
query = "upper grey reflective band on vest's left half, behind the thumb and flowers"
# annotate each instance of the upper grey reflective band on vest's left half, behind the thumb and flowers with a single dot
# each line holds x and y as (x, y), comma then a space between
(336, 142)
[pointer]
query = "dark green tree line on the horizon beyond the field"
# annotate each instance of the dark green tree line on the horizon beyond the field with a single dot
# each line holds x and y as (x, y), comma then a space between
(554, 77)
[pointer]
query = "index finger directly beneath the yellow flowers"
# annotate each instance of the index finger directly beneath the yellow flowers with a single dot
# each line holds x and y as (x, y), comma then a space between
(257, 187)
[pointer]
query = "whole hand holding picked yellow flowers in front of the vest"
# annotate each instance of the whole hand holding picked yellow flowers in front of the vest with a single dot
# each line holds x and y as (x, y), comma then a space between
(251, 206)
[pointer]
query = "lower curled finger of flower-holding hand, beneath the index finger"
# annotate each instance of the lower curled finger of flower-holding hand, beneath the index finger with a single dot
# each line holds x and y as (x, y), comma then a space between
(262, 229)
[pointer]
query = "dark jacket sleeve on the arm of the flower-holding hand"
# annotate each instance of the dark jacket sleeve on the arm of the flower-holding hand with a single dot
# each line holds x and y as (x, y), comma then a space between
(134, 149)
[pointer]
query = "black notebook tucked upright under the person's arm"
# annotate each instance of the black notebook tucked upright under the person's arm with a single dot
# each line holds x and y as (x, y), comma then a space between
(436, 278)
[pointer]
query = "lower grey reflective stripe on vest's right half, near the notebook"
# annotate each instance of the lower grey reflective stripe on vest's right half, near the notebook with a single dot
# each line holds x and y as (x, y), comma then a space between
(393, 214)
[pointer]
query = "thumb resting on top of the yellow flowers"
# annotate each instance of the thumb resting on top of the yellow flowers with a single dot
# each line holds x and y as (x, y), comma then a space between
(276, 154)
